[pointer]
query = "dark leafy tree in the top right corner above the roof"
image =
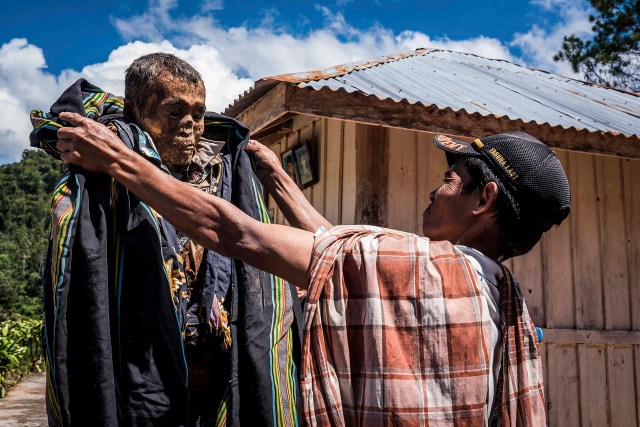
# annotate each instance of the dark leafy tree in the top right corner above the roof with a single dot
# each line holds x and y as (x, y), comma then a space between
(612, 56)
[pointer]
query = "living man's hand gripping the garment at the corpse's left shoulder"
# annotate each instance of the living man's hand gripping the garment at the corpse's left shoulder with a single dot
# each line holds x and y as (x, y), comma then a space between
(87, 143)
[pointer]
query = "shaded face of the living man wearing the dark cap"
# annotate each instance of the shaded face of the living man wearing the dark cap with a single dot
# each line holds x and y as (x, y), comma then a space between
(450, 212)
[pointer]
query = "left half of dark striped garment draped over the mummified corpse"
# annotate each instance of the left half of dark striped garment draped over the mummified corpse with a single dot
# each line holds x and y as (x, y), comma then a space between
(113, 344)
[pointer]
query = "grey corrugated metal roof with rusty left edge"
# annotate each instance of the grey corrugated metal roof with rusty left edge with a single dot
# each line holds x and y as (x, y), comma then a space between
(474, 84)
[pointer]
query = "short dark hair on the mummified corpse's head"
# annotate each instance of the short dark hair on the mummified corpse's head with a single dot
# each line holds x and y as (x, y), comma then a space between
(143, 74)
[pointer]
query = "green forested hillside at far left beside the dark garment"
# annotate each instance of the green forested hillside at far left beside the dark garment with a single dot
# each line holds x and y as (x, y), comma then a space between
(25, 211)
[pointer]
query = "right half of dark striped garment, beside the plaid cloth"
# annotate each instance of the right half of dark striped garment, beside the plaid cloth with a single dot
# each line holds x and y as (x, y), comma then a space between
(264, 357)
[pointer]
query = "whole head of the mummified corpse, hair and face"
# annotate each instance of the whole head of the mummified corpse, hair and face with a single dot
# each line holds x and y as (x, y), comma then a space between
(165, 96)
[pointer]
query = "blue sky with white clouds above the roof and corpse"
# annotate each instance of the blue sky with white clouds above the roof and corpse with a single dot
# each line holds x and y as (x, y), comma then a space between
(45, 46)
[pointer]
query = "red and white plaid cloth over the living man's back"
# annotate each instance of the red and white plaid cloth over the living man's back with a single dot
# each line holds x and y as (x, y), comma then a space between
(397, 332)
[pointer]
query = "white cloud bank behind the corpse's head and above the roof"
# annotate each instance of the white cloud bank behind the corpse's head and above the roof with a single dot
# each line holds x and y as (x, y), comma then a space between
(230, 58)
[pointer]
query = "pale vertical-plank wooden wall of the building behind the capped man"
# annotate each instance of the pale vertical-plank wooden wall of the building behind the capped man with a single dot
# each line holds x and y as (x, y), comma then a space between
(581, 282)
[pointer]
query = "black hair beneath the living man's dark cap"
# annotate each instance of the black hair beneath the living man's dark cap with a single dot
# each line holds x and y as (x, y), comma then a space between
(519, 231)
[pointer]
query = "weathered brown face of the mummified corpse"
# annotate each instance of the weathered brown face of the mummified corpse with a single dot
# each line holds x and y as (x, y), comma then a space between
(175, 118)
